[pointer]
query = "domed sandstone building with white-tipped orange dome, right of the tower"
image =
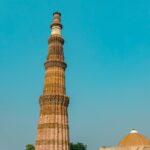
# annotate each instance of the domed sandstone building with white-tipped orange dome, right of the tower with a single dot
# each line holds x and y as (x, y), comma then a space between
(132, 141)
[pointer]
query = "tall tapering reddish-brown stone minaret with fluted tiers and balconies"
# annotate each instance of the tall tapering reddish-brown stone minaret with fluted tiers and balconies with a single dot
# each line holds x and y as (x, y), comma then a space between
(53, 129)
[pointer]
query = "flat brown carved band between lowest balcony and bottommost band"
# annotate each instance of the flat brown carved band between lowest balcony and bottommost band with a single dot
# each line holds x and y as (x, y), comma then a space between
(52, 125)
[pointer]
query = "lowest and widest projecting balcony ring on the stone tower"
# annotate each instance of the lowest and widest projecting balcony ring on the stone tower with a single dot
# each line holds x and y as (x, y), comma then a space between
(54, 99)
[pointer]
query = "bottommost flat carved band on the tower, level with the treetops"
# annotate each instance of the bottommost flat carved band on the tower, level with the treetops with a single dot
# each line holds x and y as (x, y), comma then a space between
(51, 142)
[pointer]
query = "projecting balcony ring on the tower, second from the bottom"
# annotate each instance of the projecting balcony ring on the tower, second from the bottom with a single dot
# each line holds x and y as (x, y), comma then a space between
(55, 63)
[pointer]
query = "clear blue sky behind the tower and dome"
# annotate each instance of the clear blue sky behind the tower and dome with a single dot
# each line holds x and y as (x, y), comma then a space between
(107, 50)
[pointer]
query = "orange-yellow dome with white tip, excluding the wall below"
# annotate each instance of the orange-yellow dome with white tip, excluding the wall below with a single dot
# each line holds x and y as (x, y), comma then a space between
(134, 139)
